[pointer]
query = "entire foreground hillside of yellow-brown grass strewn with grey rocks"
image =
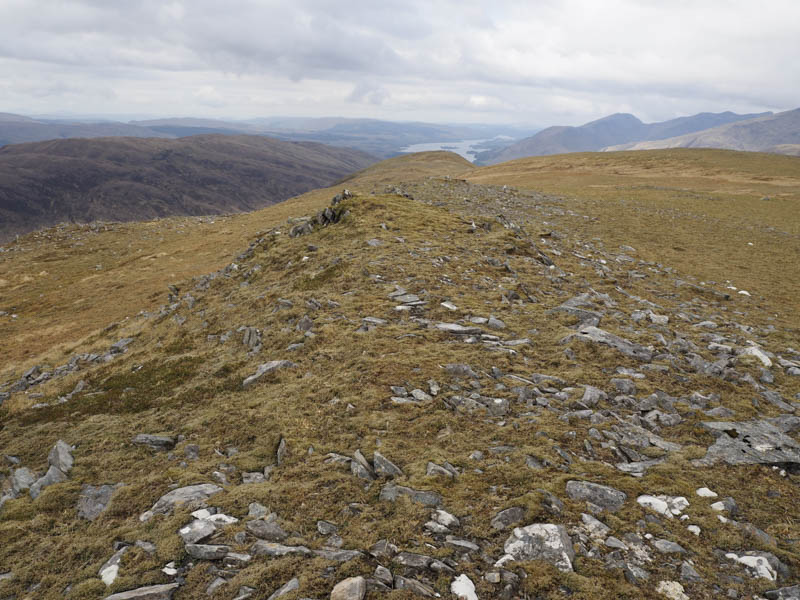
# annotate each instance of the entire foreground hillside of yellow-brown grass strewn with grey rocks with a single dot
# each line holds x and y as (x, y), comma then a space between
(543, 379)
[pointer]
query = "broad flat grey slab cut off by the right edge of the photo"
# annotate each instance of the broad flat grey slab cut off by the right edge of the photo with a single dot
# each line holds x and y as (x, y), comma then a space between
(748, 443)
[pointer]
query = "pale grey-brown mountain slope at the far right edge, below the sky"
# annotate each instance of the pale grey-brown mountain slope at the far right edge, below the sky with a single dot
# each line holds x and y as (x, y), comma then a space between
(761, 134)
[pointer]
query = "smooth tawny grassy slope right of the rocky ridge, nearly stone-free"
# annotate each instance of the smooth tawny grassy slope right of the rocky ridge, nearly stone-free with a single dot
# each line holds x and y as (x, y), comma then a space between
(697, 210)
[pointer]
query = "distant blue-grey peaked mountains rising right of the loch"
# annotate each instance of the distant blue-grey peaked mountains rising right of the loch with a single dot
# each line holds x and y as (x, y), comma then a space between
(608, 131)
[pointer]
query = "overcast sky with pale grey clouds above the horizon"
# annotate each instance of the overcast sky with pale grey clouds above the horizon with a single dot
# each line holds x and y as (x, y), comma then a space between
(539, 62)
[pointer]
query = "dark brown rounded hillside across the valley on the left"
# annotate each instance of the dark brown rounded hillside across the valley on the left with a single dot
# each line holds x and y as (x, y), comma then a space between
(130, 179)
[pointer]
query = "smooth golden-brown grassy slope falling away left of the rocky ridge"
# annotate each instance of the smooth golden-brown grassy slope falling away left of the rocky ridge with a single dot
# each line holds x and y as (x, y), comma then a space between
(51, 281)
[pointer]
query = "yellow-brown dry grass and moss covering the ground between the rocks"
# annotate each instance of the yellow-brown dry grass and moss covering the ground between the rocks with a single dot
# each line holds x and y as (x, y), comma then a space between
(682, 209)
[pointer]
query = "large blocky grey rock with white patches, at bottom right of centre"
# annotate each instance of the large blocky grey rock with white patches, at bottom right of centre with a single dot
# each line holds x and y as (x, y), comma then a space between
(540, 541)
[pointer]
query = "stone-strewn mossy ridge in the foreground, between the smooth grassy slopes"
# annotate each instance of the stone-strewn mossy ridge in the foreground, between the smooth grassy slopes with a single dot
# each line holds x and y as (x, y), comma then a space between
(540, 412)
